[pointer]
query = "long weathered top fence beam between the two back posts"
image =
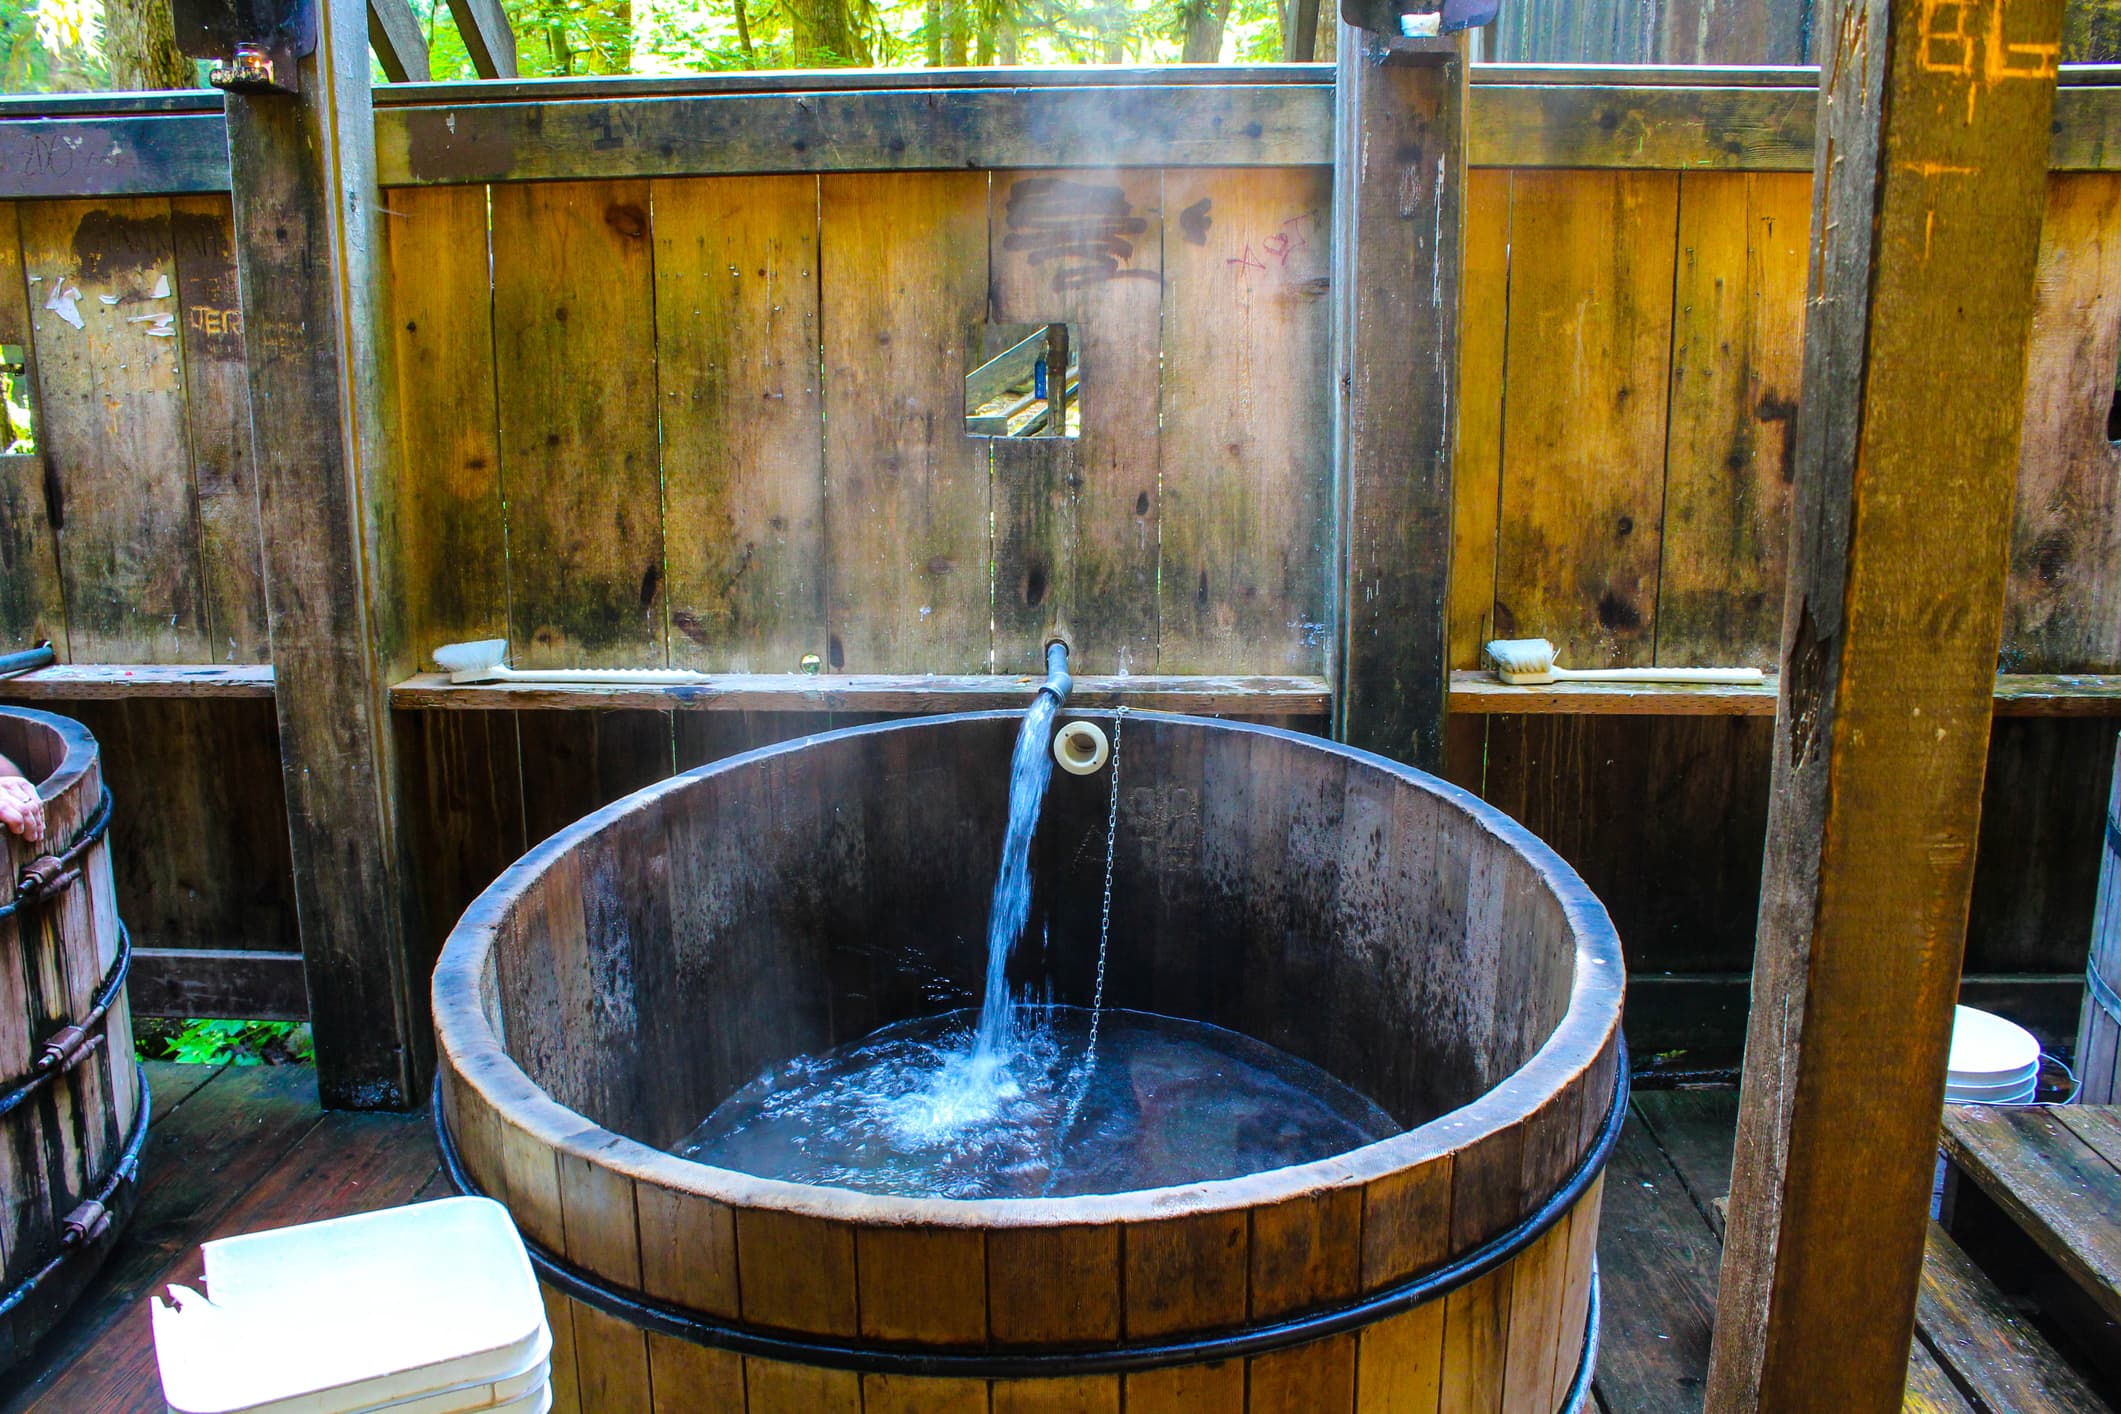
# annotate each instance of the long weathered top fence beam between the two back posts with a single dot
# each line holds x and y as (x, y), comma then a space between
(856, 132)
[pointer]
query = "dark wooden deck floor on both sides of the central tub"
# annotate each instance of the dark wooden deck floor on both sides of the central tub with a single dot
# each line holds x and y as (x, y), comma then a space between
(236, 1150)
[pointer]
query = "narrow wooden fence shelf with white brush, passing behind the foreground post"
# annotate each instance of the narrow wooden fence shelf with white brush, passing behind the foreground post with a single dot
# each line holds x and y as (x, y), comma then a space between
(2016, 696)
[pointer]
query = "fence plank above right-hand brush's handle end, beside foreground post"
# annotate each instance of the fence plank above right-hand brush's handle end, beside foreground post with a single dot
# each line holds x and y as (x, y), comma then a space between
(1738, 336)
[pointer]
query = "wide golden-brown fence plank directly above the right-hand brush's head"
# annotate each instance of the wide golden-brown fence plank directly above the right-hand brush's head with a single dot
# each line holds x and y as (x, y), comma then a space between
(1590, 349)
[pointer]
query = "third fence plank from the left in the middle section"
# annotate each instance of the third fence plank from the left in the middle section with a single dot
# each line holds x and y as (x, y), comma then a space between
(737, 287)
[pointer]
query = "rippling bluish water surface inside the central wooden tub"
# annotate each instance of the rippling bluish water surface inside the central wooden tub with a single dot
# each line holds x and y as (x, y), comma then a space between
(1161, 1103)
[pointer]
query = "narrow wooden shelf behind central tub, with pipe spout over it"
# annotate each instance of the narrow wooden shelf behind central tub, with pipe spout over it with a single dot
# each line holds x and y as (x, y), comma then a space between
(794, 692)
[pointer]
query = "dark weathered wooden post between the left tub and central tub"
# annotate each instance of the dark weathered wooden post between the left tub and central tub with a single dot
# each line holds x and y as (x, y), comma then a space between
(309, 253)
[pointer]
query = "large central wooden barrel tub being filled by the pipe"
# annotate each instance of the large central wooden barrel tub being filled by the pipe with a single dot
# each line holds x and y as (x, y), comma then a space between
(644, 964)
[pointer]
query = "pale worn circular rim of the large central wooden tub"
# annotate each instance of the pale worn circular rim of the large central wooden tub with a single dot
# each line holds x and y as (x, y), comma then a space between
(1585, 1036)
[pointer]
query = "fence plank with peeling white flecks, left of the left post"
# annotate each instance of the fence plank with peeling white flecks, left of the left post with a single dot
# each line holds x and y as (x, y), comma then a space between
(111, 393)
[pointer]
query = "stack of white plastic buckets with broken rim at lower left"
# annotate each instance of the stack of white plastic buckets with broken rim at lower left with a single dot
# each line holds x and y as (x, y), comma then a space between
(410, 1311)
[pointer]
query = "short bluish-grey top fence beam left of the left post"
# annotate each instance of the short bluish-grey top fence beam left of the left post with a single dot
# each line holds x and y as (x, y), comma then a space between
(113, 156)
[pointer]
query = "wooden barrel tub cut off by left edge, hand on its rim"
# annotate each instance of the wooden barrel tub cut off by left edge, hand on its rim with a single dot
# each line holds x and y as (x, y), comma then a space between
(73, 1099)
